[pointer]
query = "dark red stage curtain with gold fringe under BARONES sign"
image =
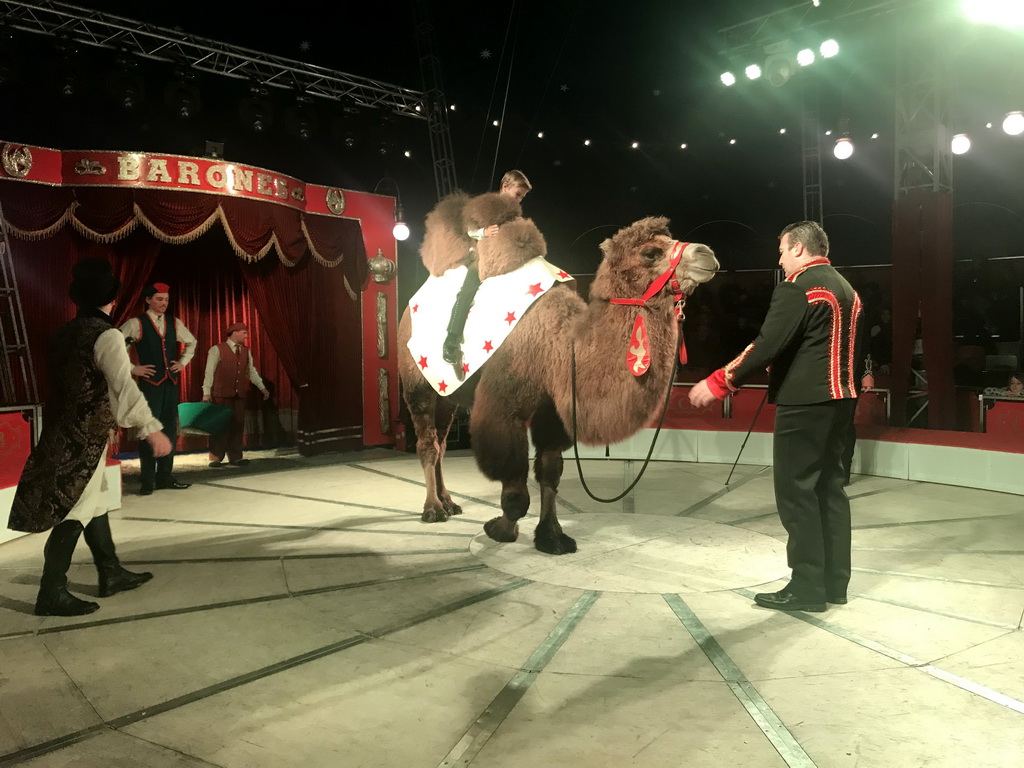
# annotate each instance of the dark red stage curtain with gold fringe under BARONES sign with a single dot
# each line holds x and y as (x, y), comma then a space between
(304, 324)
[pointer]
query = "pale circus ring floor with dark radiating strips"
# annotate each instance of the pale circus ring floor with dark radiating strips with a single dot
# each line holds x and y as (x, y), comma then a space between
(303, 616)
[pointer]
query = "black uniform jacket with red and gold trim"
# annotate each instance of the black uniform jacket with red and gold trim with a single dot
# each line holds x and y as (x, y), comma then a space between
(809, 342)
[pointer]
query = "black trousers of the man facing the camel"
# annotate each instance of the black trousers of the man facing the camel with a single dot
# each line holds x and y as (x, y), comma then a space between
(813, 504)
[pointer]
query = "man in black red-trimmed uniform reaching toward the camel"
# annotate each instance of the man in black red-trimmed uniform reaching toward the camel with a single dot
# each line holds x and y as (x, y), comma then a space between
(809, 340)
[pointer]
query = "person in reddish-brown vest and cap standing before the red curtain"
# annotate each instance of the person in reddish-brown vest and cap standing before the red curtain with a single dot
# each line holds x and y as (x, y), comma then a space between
(229, 369)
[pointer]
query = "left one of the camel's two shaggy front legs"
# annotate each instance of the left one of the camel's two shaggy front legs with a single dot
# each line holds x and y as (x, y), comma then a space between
(502, 454)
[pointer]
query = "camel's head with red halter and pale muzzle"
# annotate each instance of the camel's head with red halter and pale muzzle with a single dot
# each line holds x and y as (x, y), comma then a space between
(638, 260)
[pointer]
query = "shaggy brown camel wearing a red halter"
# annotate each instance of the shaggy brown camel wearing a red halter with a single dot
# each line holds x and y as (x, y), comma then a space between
(527, 385)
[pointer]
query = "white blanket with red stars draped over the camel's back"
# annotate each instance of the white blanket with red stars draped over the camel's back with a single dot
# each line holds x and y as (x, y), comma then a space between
(500, 305)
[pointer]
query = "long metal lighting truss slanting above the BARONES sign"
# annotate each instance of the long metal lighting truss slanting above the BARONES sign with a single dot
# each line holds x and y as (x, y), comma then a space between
(148, 41)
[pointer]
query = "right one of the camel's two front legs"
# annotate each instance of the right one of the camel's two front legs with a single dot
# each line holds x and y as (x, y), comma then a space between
(550, 440)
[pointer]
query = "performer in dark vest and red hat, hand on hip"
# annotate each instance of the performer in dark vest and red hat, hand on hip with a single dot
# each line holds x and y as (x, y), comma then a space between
(157, 336)
